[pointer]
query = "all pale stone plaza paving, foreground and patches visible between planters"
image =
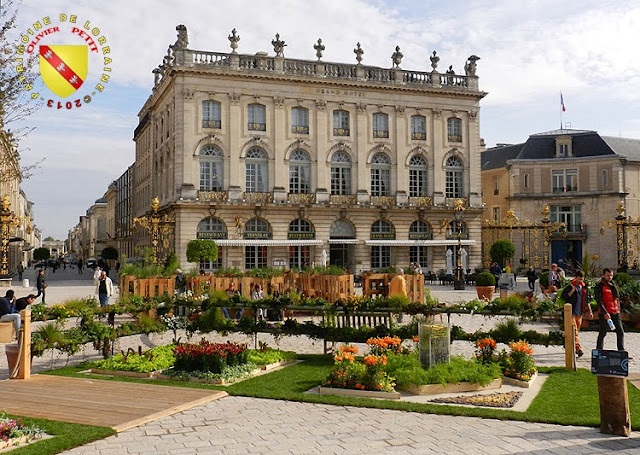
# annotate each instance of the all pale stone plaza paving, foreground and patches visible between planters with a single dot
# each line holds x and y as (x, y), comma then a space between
(237, 425)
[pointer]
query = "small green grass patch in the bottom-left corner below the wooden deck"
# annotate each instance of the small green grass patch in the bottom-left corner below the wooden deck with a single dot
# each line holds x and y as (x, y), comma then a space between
(65, 436)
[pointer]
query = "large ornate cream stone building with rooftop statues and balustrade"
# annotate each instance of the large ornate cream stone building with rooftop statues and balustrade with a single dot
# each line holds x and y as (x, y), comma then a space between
(287, 162)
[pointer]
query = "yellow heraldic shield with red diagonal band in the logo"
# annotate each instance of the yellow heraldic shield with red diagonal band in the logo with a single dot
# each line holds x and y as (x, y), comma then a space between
(64, 67)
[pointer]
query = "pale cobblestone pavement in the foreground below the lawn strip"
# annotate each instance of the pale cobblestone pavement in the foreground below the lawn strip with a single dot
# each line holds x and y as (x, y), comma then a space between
(236, 425)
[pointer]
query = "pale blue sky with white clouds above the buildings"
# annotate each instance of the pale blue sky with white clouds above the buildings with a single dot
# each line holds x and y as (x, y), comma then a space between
(530, 52)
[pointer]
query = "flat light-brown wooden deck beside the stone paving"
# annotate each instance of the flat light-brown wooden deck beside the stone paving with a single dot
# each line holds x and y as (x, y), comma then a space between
(114, 404)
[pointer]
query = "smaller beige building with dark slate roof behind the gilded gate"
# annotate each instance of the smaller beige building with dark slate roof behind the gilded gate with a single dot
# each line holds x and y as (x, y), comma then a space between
(580, 175)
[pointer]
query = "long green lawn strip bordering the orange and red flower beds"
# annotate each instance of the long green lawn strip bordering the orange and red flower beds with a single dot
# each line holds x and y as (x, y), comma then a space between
(566, 398)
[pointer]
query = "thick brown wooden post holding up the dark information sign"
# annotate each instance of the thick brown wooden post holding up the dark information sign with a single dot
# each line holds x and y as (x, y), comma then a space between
(614, 406)
